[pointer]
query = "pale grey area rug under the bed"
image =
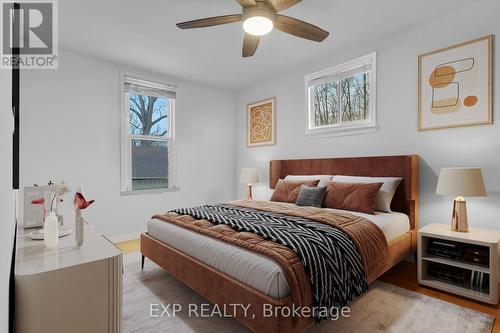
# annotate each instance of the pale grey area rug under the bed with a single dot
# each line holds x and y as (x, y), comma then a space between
(149, 298)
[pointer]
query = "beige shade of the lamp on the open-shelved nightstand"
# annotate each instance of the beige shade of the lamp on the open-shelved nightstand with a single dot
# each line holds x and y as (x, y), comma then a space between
(466, 182)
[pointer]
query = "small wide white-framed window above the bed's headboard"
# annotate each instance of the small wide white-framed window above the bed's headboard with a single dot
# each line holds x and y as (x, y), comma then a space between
(342, 98)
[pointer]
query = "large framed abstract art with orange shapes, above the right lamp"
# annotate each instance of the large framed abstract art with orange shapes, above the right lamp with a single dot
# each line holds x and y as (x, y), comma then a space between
(455, 85)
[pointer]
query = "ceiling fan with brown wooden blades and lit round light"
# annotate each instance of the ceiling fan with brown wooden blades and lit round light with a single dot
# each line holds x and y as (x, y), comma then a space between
(259, 17)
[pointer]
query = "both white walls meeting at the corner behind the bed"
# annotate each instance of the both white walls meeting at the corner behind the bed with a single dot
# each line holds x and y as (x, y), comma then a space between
(70, 128)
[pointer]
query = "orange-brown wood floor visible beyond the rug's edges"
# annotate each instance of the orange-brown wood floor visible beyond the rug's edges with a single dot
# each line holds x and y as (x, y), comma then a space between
(403, 275)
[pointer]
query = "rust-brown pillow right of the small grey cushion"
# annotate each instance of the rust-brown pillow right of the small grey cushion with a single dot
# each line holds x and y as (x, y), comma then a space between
(356, 197)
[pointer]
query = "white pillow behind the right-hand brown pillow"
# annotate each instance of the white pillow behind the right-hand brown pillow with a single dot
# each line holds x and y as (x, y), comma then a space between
(386, 193)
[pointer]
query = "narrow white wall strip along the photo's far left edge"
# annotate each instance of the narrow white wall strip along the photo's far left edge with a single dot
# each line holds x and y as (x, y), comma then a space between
(6, 194)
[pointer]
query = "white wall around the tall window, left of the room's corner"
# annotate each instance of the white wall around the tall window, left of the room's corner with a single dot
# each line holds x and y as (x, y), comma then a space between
(71, 131)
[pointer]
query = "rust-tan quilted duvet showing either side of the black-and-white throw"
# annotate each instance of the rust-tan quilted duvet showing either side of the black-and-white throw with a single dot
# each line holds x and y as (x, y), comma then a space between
(368, 238)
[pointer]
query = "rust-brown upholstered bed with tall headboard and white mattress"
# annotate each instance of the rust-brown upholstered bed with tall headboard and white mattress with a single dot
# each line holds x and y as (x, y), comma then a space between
(225, 273)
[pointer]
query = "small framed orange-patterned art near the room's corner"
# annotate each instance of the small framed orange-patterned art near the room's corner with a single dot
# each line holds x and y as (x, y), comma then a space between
(261, 123)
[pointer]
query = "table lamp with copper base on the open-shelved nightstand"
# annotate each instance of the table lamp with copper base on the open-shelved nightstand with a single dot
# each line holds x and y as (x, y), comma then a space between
(460, 183)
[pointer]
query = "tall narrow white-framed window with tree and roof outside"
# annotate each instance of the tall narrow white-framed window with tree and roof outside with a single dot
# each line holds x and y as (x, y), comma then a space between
(147, 135)
